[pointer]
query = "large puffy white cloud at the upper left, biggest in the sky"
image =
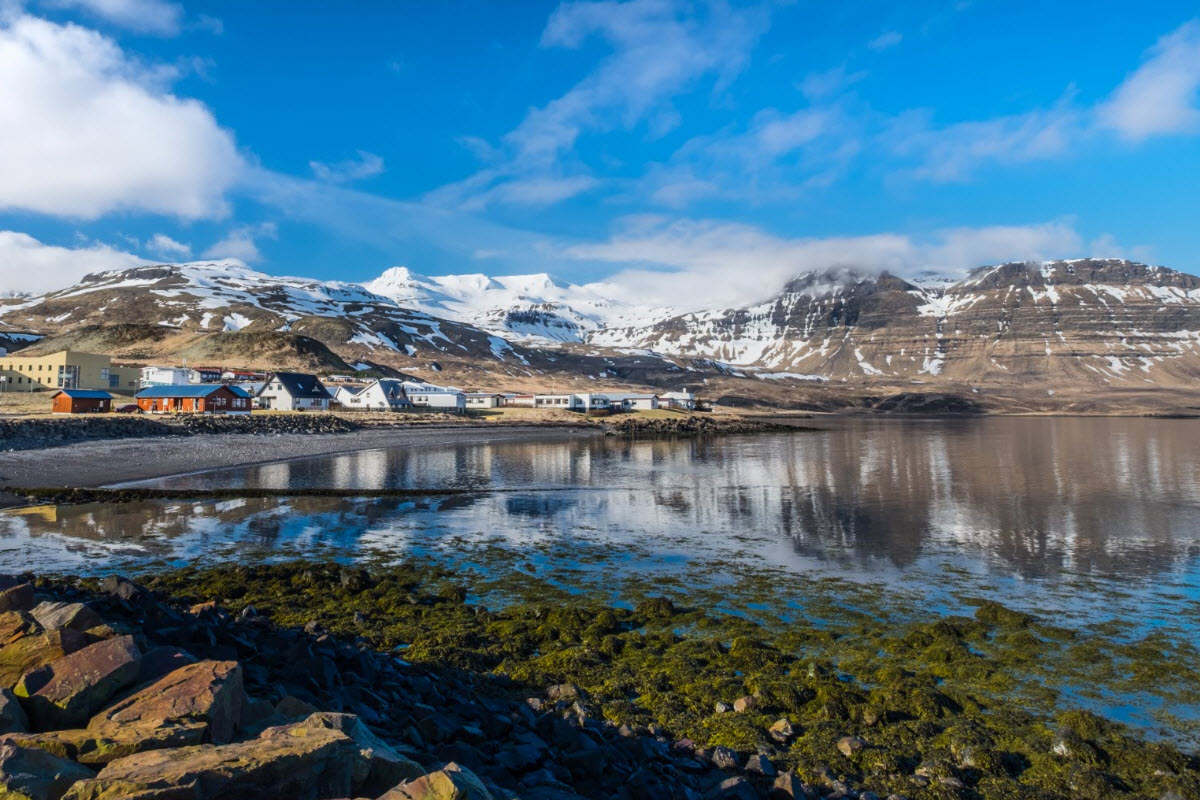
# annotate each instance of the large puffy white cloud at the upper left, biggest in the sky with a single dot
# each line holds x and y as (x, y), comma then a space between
(87, 131)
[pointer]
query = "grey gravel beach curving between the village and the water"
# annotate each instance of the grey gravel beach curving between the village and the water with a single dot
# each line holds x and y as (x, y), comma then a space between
(121, 461)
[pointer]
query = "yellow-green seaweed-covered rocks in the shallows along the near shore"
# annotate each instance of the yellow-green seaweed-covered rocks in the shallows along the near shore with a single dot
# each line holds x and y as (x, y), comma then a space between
(943, 707)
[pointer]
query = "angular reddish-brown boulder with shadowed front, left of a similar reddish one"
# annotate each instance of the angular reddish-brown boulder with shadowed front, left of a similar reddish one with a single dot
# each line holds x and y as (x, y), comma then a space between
(65, 694)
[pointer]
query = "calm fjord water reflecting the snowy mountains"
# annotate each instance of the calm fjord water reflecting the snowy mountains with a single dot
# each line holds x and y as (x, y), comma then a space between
(1070, 515)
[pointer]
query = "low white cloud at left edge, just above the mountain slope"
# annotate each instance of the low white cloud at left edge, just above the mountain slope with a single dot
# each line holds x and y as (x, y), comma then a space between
(28, 266)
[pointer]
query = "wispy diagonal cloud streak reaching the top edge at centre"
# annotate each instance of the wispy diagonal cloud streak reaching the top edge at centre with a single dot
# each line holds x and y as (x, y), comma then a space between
(659, 50)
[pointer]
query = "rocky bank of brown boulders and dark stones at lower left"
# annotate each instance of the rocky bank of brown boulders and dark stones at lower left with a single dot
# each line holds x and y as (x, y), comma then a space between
(200, 705)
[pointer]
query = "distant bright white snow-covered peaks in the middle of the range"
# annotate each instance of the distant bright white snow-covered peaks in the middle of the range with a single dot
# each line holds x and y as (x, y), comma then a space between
(524, 308)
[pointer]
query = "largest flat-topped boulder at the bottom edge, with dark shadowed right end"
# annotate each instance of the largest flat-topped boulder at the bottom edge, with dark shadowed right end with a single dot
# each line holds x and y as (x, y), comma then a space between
(299, 762)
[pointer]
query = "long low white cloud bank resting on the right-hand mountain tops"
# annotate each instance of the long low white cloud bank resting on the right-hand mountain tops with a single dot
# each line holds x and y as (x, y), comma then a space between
(686, 263)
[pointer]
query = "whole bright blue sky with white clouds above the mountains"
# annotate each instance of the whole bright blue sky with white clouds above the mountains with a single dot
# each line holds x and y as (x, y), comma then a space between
(709, 149)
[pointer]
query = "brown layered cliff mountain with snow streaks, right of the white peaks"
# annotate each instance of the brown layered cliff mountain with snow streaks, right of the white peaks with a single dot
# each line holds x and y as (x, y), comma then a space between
(1103, 322)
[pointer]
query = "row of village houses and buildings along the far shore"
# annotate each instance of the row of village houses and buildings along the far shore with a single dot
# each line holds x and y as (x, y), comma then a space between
(87, 383)
